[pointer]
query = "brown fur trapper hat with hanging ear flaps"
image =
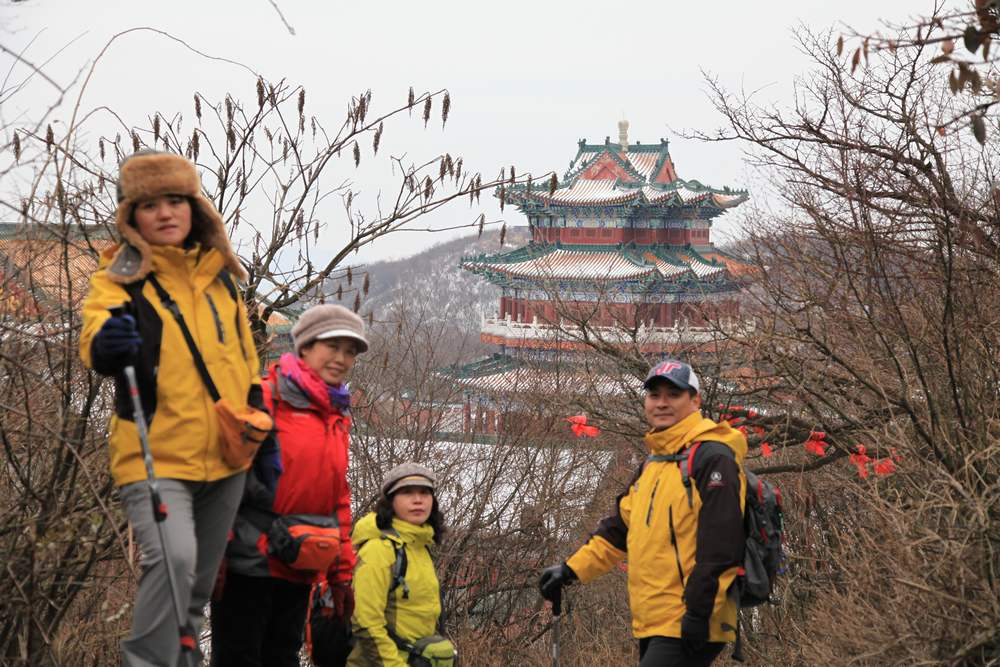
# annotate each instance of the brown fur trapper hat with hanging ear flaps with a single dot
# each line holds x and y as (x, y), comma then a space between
(148, 174)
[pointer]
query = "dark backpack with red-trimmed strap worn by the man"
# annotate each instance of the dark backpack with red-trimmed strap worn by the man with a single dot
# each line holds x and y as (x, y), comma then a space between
(762, 526)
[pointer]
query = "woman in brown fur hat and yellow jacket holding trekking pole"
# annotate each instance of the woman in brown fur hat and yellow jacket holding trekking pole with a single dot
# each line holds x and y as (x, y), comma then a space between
(173, 238)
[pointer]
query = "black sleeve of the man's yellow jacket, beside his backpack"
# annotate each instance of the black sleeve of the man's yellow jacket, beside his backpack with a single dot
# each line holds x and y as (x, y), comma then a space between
(720, 538)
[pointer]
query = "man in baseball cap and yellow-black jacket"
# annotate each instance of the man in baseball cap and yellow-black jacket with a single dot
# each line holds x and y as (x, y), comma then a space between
(680, 523)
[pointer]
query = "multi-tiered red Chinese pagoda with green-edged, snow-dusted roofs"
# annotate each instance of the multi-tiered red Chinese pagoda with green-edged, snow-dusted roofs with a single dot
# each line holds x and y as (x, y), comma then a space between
(620, 238)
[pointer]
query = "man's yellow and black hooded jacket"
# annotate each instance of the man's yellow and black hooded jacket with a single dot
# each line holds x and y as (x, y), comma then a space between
(683, 549)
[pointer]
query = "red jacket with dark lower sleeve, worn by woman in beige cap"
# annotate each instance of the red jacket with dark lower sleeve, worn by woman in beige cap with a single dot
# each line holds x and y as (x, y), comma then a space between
(313, 437)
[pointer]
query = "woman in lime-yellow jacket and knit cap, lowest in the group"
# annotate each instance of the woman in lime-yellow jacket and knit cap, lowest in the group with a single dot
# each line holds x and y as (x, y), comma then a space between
(396, 591)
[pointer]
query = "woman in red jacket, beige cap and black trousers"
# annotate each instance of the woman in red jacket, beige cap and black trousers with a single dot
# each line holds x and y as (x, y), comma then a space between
(298, 488)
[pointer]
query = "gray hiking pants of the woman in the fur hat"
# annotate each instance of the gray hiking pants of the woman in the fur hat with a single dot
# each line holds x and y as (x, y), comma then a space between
(199, 517)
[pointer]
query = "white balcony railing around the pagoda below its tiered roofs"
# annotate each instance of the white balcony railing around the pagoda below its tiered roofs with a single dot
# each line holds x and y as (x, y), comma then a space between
(681, 332)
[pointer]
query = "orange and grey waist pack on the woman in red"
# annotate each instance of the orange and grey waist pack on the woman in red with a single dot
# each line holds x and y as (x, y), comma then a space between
(304, 541)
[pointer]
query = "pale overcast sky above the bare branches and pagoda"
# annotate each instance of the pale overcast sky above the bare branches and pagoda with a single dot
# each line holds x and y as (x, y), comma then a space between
(527, 79)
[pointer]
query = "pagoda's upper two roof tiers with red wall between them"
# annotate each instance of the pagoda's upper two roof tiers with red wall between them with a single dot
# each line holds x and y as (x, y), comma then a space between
(620, 215)
